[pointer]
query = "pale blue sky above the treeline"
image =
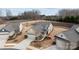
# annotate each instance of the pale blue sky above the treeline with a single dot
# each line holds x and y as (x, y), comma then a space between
(43, 11)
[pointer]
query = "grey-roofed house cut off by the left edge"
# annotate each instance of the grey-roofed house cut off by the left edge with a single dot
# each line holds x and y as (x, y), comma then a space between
(11, 28)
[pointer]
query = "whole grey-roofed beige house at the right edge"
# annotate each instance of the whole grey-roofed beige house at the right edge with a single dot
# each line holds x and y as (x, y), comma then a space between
(68, 39)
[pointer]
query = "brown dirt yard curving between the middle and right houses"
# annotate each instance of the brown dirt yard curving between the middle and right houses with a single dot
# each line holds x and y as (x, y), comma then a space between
(48, 41)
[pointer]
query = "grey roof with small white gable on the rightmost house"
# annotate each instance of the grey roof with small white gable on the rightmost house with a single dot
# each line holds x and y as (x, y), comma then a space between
(70, 35)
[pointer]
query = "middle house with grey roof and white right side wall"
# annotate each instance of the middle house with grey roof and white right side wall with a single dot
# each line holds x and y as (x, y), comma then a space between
(40, 30)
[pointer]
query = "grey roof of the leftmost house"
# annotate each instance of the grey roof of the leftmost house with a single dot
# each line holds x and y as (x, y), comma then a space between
(11, 26)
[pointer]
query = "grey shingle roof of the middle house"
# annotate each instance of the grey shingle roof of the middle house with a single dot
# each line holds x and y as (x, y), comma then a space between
(40, 27)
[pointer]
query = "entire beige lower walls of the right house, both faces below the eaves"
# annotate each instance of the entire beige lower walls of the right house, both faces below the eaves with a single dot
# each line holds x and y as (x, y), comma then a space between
(62, 44)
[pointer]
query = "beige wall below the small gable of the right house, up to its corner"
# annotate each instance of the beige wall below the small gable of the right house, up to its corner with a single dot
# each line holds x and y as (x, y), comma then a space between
(62, 44)
